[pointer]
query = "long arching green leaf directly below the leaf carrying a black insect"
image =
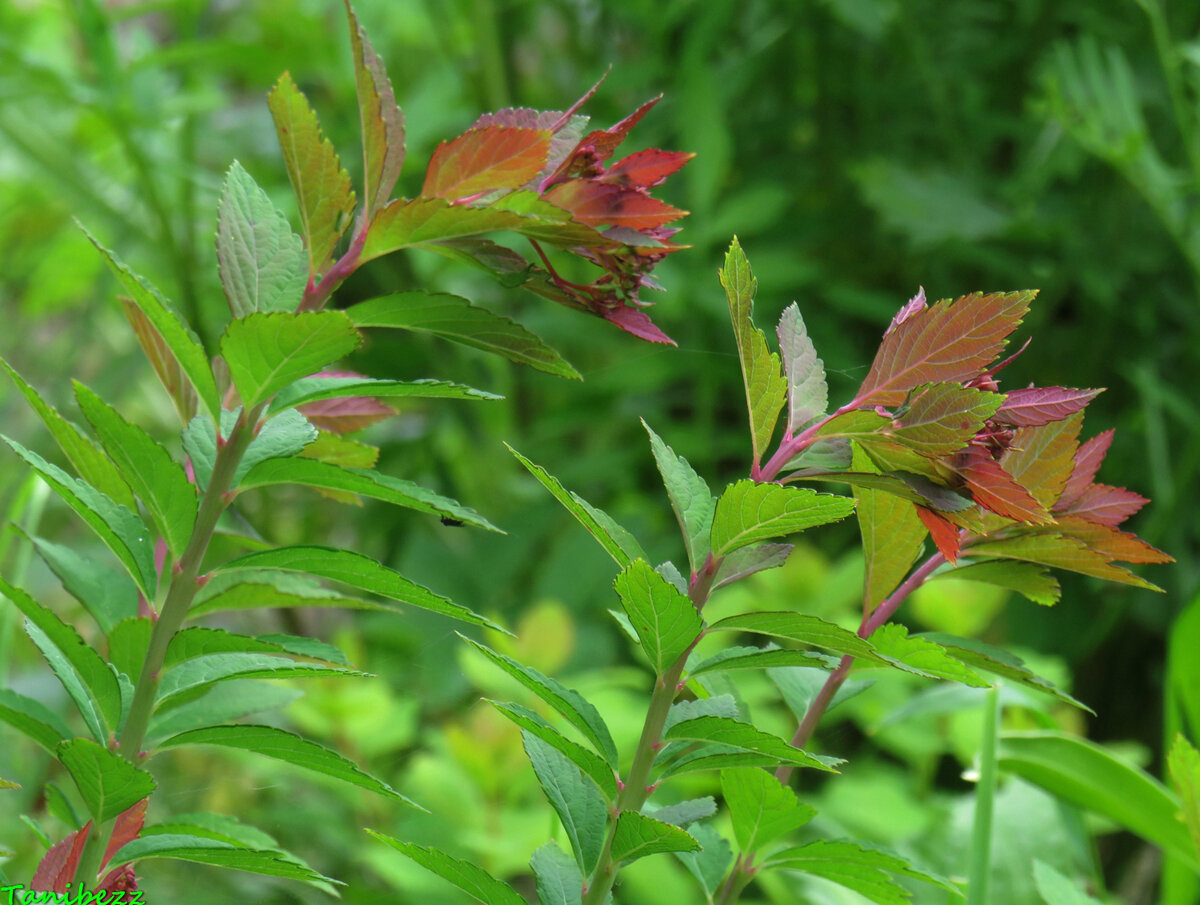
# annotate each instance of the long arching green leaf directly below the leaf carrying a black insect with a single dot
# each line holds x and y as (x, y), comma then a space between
(358, 572)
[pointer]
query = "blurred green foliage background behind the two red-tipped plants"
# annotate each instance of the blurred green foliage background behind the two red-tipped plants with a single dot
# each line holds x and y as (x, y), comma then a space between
(859, 148)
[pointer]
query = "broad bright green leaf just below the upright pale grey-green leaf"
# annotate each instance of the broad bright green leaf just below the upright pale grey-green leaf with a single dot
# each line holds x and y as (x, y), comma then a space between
(267, 352)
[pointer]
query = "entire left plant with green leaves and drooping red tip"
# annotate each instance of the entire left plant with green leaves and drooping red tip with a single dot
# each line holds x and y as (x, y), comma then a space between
(149, 678)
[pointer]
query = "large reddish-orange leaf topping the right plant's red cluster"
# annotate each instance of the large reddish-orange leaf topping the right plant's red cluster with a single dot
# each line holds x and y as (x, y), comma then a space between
(946, 343)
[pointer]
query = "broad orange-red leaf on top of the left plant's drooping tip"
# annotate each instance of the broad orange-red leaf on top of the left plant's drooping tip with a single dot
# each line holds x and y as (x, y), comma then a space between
(485, 160)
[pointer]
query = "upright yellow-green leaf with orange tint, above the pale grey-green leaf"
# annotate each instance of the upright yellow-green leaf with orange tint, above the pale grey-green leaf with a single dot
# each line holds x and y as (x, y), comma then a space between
(322, 188)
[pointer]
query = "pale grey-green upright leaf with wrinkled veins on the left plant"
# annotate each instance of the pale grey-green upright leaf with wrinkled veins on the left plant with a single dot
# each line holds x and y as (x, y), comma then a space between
(262, 262)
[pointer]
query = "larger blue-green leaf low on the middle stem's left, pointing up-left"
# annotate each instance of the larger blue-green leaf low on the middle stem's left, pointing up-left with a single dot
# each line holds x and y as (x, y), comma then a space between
(579, 805)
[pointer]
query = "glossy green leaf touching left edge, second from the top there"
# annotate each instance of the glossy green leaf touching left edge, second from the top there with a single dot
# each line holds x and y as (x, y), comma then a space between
(121, 530)
